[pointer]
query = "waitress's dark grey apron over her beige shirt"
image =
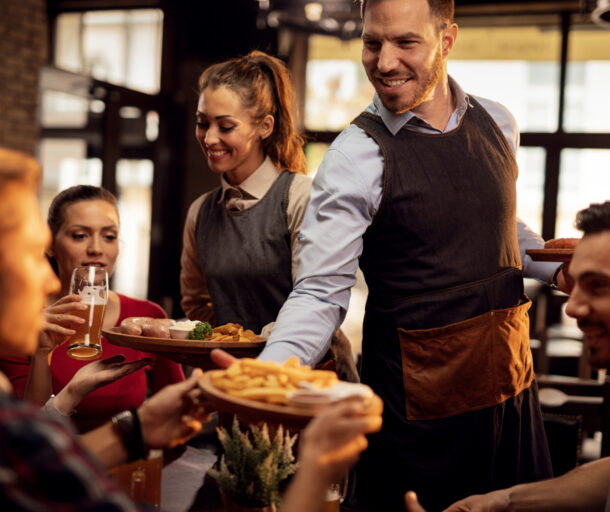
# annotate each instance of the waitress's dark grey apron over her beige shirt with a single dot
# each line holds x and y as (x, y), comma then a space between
(246, 258)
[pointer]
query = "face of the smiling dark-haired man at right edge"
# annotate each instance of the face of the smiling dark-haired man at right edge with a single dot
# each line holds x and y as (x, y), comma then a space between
(589, 301)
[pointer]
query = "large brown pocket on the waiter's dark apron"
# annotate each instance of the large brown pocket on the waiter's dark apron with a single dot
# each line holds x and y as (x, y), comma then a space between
(468, 365)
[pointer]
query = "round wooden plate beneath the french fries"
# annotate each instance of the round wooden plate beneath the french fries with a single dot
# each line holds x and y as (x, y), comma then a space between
(251, 411)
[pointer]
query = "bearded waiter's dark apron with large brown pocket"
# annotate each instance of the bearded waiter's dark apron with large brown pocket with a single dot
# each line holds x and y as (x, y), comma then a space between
(445, 339)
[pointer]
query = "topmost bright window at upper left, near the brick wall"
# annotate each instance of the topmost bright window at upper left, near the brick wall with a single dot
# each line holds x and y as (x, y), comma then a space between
(121, 47)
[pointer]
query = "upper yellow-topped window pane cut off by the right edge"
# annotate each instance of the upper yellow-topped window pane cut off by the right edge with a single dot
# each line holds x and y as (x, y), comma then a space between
(587, 108)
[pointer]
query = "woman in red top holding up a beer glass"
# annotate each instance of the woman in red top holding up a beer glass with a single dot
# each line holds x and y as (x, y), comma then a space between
(84, 222)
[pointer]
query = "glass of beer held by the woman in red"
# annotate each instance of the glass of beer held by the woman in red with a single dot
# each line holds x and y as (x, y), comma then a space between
(91, 283)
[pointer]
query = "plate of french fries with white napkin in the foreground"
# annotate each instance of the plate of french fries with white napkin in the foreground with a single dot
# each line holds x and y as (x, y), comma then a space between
(257, 390)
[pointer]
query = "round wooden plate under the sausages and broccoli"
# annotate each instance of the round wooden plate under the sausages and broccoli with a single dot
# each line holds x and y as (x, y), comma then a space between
(190, 352)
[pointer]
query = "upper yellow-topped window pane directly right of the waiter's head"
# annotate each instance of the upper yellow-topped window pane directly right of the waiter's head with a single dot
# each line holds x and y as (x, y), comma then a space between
(516, 66)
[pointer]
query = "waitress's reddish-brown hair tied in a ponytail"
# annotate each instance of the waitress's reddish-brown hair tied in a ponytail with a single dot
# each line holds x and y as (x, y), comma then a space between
(263, 84)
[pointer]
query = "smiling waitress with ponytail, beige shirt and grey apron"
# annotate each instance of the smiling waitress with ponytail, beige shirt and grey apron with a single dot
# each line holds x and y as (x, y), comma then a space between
(239, 257)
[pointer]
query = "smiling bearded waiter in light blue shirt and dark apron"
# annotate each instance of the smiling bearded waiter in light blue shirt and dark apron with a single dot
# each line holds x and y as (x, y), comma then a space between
(420, 192)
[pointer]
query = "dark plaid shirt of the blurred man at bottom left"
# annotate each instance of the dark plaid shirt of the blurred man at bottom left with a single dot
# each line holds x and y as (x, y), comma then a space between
(44, 467)
